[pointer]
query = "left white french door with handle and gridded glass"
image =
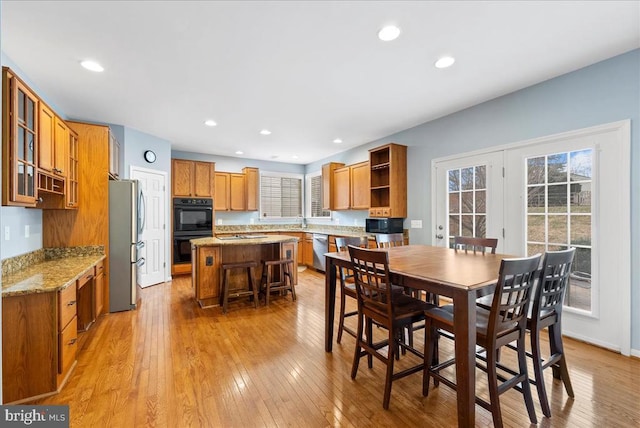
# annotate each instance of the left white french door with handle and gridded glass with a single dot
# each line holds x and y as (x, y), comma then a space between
(468, 198)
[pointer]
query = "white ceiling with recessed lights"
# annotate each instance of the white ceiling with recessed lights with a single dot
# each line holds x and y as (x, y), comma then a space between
(308, 71)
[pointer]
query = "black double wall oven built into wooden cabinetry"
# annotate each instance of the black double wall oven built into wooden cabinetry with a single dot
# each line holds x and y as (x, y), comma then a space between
(192, 218)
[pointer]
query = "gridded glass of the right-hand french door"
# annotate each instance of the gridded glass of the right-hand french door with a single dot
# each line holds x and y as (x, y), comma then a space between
(559, 214)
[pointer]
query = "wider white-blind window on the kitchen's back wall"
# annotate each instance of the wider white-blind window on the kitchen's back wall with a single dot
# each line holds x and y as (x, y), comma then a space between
(280, 195)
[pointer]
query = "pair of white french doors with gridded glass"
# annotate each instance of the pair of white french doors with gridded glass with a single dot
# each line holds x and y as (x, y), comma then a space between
(560, 191)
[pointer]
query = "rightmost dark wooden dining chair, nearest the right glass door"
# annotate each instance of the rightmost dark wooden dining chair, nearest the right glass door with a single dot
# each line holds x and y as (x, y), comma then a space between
(546, 312)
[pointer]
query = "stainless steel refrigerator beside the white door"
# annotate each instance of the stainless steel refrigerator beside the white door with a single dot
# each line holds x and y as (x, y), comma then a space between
(126, 222)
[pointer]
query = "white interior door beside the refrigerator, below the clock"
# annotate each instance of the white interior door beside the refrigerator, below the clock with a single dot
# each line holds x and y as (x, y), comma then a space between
(153, 232)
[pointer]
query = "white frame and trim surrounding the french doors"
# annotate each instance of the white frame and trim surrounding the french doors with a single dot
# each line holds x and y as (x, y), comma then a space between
(623, 208)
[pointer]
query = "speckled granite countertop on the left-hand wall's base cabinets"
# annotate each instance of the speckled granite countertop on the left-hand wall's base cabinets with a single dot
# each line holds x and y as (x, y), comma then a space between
(47, 276)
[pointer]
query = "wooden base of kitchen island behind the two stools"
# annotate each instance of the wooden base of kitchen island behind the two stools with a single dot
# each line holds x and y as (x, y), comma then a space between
(207, 263)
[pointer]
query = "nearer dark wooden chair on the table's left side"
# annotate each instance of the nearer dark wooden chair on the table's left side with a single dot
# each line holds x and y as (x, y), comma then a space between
(379, 303)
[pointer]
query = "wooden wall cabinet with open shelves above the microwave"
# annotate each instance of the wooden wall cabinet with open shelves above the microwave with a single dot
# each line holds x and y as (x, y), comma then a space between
(388, 190)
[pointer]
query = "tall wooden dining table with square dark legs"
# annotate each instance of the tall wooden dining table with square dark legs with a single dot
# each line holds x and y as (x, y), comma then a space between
(446, 272)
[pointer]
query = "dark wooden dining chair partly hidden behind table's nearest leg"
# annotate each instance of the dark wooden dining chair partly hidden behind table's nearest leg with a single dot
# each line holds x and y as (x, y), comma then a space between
(504, 323)
